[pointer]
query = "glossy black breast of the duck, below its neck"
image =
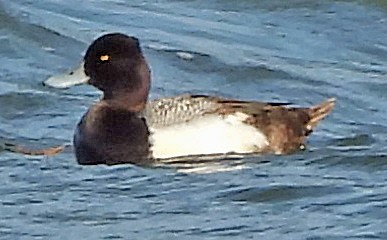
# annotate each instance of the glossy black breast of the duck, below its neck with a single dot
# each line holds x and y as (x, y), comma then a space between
(111, 137)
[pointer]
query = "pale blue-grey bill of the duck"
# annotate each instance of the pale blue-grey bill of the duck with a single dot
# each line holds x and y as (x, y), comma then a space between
(74, 77)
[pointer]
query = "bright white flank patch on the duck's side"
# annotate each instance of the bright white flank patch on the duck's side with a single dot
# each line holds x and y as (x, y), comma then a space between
(211, 134)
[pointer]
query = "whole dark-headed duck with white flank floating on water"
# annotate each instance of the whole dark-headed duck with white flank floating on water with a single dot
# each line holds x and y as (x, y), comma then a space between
(125, 127)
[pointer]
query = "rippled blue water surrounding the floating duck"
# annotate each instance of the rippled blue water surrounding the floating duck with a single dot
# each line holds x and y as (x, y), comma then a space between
(300, 52)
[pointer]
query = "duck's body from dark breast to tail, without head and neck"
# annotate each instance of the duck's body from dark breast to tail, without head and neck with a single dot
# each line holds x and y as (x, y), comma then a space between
(190, 125)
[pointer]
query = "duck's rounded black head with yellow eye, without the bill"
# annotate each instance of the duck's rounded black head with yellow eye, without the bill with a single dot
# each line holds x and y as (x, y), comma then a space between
(115, 65)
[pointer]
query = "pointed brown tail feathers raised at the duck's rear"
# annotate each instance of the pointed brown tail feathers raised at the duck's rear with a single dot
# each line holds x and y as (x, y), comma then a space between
(318, 112)
